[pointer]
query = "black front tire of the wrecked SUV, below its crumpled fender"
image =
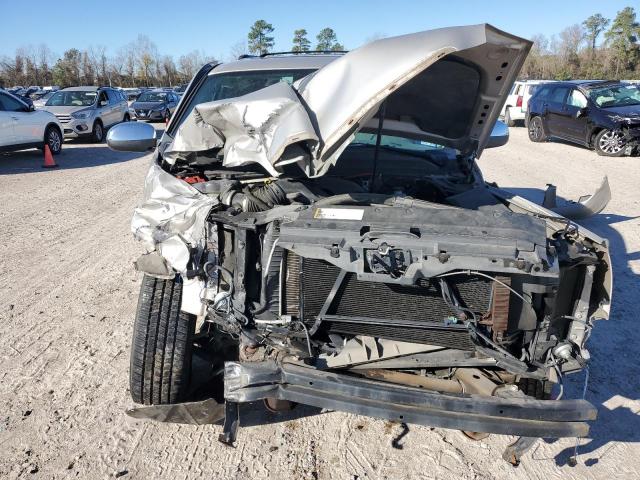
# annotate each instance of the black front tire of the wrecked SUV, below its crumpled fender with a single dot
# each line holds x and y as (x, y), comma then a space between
(162, 344)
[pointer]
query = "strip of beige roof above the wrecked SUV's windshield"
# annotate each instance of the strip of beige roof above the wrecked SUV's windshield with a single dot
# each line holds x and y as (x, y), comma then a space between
(311, 61)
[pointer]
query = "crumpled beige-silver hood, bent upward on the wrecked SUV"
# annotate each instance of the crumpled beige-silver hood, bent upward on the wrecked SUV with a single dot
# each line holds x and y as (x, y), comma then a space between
(445, 86)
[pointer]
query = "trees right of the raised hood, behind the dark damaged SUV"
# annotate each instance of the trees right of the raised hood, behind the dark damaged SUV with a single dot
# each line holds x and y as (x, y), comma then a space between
(576, 54)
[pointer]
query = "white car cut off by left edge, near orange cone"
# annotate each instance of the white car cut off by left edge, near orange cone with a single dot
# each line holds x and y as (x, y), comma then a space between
(22, 127)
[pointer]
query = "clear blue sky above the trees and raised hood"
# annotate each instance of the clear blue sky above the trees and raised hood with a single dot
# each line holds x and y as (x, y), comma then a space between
(177, 27)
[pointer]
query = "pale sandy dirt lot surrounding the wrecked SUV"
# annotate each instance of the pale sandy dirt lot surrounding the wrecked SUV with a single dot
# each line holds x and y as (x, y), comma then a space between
(67, 297)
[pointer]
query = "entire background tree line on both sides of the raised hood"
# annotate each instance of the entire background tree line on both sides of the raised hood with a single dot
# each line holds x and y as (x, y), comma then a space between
(574, 53)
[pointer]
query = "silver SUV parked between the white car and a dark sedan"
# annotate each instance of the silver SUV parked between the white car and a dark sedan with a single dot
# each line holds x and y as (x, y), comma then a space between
(88, 112)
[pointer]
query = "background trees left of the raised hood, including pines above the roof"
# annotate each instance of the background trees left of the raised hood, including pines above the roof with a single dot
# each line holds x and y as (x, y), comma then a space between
(137, 64)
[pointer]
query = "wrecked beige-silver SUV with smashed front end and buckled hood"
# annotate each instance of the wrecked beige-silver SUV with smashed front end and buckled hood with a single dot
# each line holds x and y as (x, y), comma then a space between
(319, 232)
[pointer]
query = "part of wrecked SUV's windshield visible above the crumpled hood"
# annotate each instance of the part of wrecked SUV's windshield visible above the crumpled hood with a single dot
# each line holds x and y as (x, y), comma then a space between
(236, 84)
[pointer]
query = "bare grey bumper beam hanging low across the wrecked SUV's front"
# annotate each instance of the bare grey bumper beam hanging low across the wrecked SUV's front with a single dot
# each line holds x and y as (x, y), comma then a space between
(247, 382)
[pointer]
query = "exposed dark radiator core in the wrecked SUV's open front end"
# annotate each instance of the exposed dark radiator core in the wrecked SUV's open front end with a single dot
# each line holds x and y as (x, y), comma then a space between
(406, 313)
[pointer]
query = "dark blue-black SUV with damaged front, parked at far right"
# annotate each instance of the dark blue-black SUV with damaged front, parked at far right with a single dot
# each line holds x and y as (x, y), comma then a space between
(603, 115)
